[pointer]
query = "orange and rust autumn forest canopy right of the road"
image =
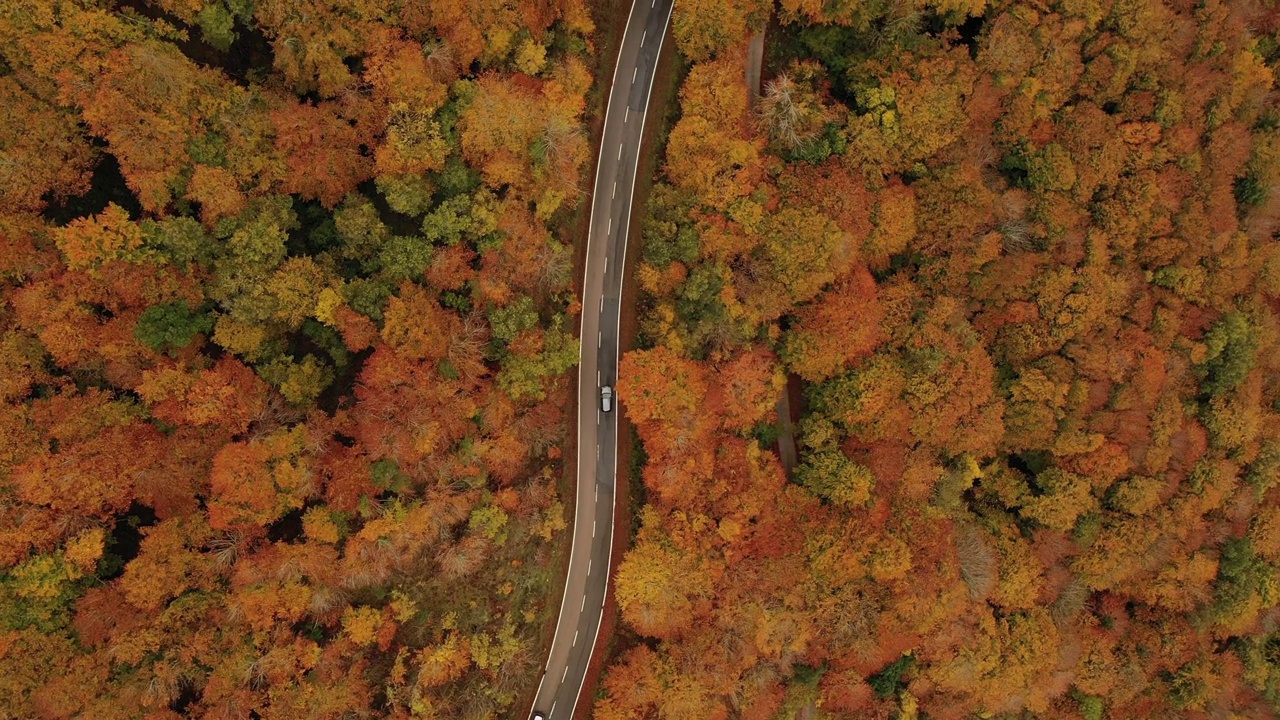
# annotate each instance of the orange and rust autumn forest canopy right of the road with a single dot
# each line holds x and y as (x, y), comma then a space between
(1020, 267)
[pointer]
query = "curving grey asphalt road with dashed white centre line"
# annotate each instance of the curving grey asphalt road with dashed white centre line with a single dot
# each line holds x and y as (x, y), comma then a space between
(588, 578)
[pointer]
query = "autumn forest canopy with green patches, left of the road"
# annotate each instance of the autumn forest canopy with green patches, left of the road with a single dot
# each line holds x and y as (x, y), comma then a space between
(285, 353)
